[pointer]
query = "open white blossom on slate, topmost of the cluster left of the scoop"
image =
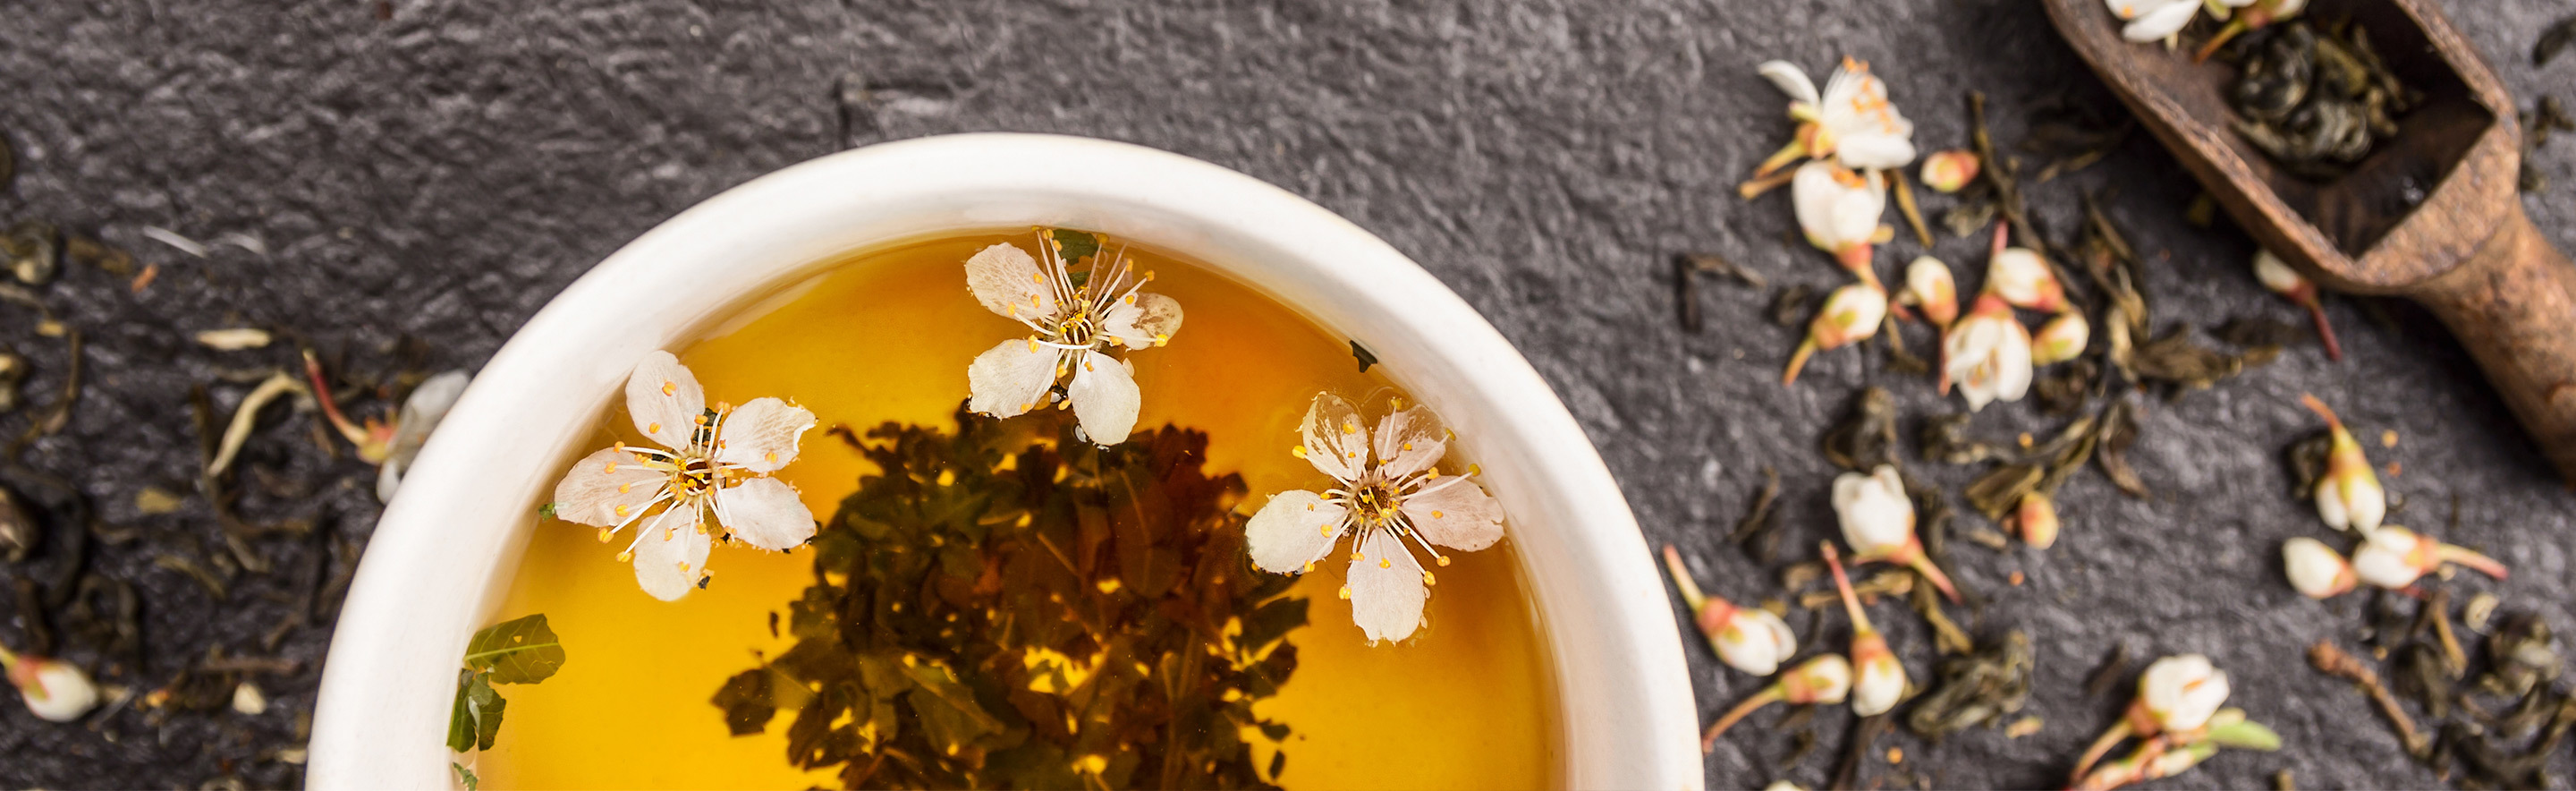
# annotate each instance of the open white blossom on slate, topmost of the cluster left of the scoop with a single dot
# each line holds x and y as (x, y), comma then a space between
(1851, 122)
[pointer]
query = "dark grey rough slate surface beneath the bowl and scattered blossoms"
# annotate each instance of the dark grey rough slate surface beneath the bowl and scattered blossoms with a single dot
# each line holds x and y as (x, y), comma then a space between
(442, 169)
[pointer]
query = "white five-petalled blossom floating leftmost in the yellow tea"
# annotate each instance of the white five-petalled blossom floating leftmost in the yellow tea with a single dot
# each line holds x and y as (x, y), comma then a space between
(702, 462)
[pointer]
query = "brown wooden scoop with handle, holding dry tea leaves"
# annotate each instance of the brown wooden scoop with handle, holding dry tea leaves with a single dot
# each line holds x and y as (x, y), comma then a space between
(2430, 215)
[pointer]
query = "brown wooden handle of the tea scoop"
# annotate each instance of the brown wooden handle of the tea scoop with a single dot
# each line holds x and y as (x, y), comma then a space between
(2513, 305)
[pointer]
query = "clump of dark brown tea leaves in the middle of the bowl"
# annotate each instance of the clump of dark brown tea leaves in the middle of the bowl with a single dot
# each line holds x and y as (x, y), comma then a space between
(1032, 612)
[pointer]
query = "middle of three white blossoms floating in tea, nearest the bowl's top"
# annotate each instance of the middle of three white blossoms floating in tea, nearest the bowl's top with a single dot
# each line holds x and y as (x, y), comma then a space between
(1075, 329)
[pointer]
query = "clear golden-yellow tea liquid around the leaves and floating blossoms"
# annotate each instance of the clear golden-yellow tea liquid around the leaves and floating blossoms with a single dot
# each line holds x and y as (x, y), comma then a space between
(887, 336)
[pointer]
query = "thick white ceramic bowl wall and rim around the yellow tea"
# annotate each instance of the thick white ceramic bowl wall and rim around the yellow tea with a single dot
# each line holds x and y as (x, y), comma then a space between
(447, 545)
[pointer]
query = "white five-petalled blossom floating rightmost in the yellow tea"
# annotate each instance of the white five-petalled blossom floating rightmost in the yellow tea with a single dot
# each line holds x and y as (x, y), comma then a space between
(1387, 493)
